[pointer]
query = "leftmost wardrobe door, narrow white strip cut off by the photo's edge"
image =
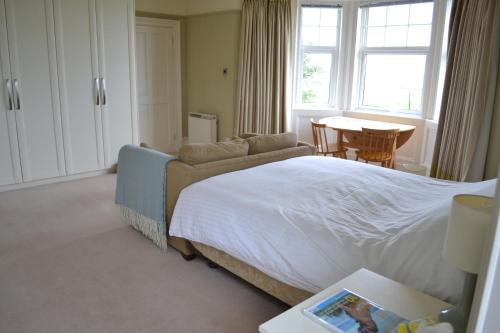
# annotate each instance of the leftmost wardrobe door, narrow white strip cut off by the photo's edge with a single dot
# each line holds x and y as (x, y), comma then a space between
(10, 167)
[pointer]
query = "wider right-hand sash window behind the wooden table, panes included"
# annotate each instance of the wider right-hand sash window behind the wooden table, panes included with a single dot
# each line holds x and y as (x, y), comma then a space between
(394, 44)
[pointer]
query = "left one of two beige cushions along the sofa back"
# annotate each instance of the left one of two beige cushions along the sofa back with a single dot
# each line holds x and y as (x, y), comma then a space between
(197, 153)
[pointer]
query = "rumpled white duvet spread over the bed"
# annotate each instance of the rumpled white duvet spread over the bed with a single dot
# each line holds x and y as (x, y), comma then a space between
(311, 221)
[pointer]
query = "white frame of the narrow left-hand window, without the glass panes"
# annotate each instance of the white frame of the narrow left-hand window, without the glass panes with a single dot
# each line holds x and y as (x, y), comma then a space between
(334, 51)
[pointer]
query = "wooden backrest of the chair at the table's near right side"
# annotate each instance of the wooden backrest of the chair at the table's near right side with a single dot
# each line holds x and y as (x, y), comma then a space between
(377, 141)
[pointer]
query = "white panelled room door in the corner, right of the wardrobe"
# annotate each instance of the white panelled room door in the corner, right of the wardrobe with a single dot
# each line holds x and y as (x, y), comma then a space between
(159, 83)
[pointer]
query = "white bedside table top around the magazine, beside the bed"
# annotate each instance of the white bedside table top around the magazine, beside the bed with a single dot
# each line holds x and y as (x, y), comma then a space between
(393, 296)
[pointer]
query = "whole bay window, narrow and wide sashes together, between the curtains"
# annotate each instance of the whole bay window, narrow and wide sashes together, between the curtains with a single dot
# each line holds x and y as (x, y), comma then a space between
(370, 55)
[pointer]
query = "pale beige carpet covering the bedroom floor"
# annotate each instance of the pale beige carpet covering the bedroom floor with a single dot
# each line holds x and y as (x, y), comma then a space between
(68, 264)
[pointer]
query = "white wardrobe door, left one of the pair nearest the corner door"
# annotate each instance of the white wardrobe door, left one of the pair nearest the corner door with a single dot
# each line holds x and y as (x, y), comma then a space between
(76, 43)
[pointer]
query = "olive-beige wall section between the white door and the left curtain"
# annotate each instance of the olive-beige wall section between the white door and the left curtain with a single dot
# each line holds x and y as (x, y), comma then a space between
(212, 44)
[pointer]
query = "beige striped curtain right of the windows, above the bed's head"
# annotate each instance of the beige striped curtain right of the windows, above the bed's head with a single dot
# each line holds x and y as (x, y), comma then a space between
(472, 57)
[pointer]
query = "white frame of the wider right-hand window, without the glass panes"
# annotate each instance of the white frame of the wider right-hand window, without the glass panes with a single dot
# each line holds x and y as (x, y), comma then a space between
(363, 51)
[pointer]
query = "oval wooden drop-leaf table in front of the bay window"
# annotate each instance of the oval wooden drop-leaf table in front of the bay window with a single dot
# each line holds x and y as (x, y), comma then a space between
(350, 129)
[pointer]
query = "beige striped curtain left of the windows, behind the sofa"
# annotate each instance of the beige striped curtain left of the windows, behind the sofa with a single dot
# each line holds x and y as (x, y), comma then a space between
(263, 66)
